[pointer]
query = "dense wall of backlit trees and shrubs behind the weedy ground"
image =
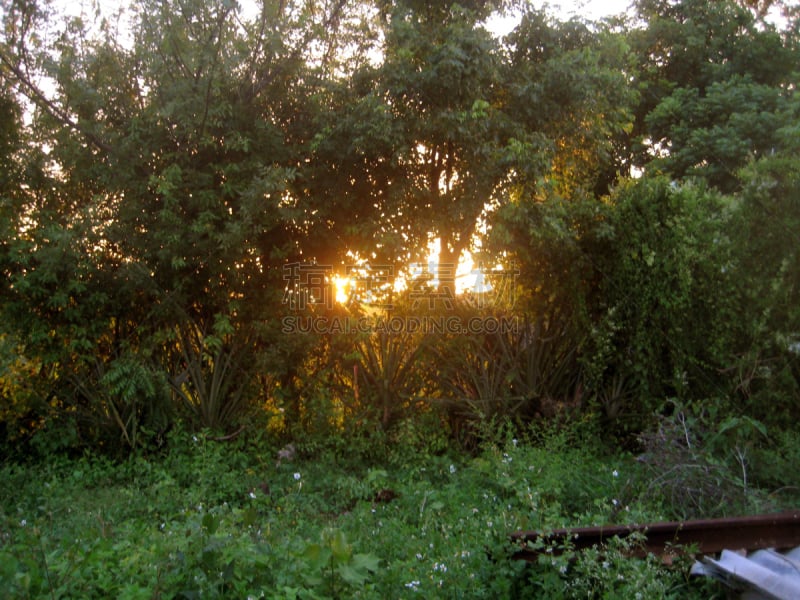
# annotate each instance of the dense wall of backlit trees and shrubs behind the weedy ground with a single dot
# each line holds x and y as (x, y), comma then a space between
(161, 186)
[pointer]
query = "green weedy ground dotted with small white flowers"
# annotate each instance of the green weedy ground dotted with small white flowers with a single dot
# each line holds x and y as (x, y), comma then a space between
(205, 519)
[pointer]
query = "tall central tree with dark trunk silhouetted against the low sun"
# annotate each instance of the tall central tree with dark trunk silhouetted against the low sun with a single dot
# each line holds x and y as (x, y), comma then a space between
(418, 142)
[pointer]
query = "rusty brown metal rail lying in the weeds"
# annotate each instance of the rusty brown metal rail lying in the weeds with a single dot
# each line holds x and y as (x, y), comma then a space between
(708, 536)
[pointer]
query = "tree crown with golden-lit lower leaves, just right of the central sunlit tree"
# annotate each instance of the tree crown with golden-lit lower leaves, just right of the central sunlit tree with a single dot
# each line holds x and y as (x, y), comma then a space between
(568, 85)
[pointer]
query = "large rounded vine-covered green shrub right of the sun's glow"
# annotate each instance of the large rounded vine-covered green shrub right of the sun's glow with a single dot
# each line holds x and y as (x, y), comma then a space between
(644, 278)
